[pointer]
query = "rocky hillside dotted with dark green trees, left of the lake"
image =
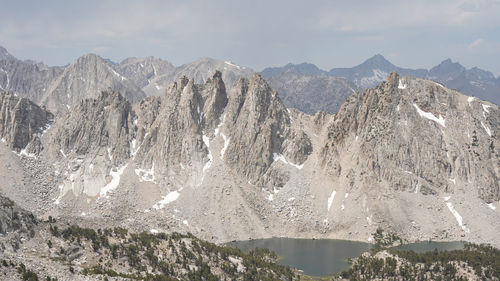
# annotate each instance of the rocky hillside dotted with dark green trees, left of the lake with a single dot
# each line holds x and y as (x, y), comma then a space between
(50, 250)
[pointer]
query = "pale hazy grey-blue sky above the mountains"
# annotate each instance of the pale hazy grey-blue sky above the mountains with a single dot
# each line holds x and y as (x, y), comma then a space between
(257, 33)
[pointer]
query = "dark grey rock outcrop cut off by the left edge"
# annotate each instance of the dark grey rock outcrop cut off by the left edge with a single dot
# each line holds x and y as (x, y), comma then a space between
(22, 122)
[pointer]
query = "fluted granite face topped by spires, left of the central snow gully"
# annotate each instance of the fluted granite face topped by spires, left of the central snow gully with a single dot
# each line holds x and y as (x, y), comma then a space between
(175, 143)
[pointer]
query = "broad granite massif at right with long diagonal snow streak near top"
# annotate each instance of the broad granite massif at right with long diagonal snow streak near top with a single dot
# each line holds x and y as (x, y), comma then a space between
(414, 134)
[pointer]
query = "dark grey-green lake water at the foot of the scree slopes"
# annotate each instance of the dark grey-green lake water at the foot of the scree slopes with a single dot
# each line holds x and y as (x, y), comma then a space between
(327, 256)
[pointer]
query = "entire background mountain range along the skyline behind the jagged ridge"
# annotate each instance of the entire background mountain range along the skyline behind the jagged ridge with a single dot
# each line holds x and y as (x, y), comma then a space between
(302, 86)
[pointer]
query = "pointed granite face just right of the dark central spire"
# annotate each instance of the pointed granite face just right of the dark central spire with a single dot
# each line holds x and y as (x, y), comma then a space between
(260, 132)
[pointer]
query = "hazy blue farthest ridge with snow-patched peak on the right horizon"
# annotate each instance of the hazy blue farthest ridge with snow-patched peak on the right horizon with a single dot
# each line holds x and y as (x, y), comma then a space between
(475, 81)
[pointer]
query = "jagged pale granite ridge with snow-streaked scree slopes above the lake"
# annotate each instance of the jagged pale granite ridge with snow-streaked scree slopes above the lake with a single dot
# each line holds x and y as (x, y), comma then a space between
(225, 163)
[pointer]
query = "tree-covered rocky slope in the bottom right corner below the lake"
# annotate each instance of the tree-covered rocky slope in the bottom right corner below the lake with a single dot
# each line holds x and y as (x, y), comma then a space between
(474, 262)
